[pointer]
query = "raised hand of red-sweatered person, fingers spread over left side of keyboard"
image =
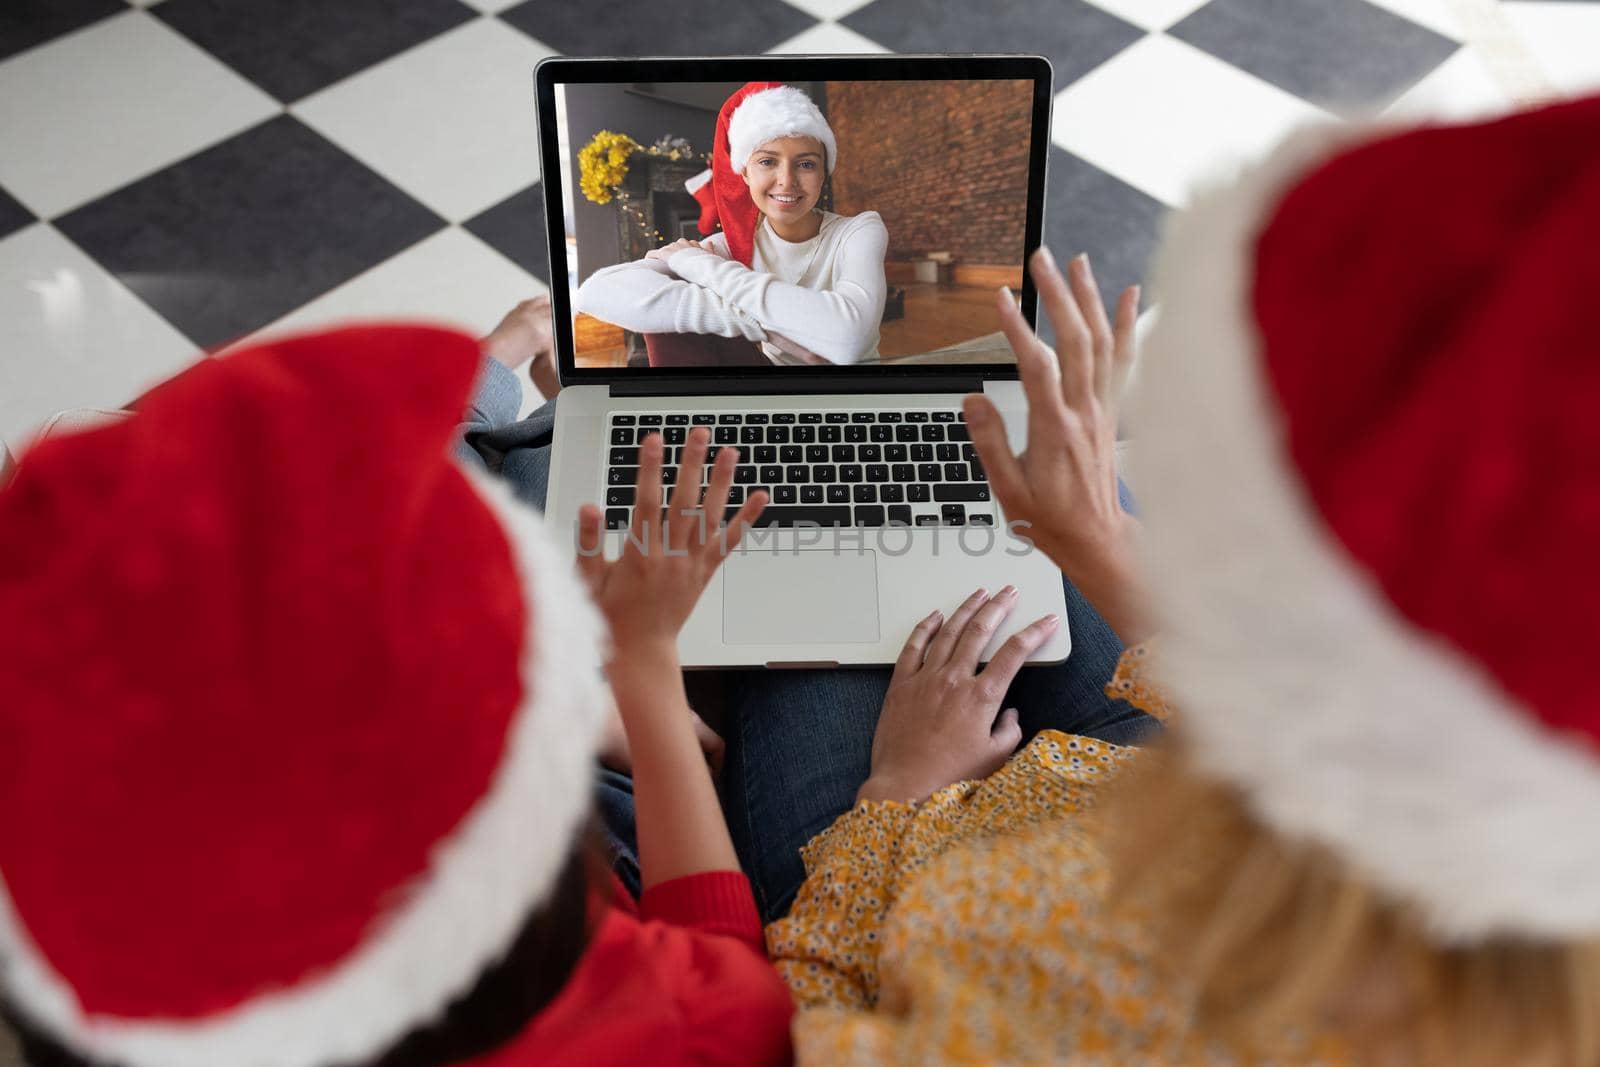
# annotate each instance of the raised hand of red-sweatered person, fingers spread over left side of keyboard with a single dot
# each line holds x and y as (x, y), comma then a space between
(668, 556)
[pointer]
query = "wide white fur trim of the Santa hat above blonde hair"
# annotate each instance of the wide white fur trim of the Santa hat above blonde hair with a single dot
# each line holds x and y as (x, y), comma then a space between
(1302, 684)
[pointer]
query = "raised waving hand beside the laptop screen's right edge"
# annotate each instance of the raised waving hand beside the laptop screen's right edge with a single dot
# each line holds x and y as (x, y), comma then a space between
(1065, 484)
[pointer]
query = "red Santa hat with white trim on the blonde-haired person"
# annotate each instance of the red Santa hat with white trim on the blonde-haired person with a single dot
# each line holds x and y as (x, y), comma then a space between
(1370, 466)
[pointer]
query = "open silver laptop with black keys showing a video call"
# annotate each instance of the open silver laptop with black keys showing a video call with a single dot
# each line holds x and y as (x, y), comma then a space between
(855, 218)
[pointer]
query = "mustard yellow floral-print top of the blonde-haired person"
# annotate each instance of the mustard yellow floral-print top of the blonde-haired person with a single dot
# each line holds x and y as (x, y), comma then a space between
(972, 929)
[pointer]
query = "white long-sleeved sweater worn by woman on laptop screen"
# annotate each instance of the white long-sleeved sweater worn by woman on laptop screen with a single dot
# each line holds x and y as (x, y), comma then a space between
(833, 310)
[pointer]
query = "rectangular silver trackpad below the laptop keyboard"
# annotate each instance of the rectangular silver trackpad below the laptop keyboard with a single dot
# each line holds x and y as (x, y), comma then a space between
(815, 597)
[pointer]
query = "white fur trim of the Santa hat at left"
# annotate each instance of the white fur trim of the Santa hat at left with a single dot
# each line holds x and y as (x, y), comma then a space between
(495, 869)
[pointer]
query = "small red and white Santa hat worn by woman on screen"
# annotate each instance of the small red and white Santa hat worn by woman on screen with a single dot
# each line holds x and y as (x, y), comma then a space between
(756, 114)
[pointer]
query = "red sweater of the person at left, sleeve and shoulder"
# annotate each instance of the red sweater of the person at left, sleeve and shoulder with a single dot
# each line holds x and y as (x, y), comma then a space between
(682, 978)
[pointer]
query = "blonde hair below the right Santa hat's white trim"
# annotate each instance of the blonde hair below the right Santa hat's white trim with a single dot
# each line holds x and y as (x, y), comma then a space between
(1273, 935)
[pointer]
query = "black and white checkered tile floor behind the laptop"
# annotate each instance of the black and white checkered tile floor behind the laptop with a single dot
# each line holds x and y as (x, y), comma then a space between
(182, 174)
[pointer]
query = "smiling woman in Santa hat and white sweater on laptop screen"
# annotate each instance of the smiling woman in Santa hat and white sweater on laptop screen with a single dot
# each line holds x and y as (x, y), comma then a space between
(806, 286)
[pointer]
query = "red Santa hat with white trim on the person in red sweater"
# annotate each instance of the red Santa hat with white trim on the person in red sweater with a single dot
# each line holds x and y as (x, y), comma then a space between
(298, 716)
